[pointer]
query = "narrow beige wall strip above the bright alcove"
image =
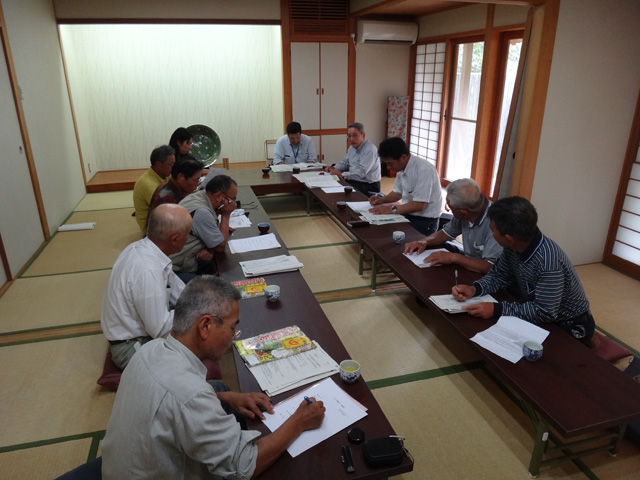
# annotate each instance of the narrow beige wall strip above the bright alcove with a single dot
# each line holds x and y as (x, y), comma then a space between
(169, 9)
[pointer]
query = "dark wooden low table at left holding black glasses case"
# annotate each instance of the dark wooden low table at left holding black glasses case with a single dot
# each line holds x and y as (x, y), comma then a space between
(298, 306)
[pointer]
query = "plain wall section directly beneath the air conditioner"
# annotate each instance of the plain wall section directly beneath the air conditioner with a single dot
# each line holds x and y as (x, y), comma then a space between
(381, 71)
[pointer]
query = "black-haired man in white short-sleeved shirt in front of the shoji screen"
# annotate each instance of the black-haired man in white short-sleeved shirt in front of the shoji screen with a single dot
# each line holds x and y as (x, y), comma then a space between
(417, 185)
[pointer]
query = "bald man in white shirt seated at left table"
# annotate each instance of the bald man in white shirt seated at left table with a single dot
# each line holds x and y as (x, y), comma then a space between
(142, 289)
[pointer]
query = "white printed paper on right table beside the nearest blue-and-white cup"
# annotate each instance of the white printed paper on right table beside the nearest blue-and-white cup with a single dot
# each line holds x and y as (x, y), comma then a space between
(507, 336)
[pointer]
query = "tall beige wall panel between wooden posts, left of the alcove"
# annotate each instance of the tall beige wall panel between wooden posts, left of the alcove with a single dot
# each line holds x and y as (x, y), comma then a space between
(36, 56)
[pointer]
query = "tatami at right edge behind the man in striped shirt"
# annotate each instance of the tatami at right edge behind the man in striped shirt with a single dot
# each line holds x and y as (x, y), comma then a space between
(613, 296)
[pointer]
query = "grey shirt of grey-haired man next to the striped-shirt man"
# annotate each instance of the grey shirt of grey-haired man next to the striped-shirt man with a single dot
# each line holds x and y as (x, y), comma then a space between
(477, 239)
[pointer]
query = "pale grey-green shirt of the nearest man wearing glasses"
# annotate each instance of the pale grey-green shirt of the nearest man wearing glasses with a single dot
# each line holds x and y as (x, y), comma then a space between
(167, 422)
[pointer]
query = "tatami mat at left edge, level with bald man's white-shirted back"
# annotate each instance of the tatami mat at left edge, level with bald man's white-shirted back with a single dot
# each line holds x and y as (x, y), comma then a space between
(42, 302)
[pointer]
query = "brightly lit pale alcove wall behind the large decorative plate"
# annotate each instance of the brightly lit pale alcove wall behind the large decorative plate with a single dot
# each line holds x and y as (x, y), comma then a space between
(133, 85)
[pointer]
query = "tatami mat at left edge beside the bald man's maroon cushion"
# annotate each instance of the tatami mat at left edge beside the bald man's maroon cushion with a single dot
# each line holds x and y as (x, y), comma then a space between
(49, 389)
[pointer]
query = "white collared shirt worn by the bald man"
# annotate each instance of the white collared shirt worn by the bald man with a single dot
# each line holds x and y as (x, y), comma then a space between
(140, 292)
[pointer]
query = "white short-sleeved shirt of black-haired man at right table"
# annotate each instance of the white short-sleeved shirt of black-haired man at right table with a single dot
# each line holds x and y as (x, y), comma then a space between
(419, 182)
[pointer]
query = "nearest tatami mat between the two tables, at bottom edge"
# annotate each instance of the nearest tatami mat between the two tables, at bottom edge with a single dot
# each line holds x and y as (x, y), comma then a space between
(463, 427)
